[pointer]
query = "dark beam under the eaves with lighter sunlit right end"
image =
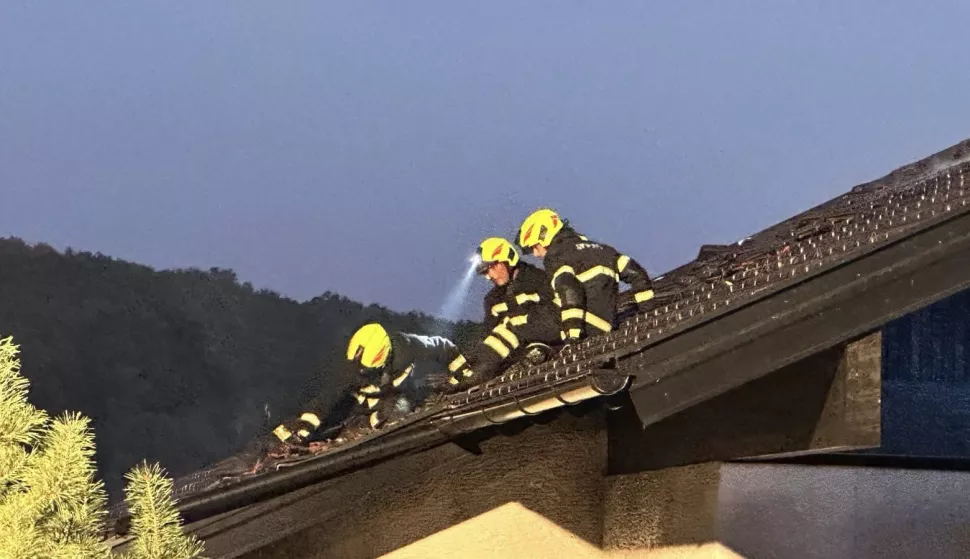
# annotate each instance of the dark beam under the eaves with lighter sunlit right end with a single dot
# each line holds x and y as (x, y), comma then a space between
(827, 402)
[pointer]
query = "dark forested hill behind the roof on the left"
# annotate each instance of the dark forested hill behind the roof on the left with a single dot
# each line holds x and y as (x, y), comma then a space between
(178, 366)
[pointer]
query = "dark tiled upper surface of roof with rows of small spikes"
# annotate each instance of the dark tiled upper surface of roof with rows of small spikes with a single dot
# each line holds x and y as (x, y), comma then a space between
(721, 279)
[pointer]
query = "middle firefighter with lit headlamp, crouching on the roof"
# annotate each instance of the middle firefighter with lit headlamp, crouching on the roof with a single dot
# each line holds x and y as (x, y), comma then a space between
(520, 316)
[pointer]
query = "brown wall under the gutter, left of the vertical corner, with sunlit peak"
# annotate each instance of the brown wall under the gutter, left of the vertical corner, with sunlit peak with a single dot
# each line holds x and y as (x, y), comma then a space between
(557, 483)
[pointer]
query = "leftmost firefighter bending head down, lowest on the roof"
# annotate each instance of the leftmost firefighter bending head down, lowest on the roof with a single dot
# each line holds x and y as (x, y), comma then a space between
(394, 369)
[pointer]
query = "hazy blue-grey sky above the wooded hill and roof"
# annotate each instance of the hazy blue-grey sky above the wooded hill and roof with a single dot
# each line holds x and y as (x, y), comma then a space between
(366, 148)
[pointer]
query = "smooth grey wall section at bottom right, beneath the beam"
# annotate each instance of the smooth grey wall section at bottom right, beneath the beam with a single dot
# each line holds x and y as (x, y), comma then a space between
(774, 510)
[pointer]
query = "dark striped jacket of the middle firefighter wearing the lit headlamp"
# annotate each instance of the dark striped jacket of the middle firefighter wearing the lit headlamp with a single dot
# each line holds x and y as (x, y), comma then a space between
(517, 314)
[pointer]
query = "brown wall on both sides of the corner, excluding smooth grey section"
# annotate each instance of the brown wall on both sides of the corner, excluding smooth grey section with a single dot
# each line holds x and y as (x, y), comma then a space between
(553, 500)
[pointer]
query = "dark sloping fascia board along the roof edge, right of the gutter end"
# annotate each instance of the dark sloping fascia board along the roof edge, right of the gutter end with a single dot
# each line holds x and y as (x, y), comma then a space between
(846, 302)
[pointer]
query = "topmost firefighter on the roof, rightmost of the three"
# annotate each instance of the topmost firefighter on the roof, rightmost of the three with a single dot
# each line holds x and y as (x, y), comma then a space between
(585, 274)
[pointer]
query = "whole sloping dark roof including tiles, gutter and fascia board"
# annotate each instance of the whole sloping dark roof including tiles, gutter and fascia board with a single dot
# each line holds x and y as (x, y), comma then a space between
(708, 309)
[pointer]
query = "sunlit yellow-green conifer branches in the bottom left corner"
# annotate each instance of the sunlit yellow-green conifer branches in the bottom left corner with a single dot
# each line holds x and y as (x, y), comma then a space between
(51, 504)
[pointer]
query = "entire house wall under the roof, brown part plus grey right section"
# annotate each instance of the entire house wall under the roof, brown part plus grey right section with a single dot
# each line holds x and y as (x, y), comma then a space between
(553, 501)
